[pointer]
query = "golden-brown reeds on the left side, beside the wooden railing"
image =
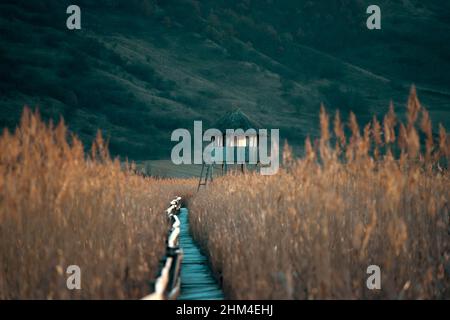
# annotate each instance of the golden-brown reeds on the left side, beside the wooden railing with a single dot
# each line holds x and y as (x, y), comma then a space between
(61, 207)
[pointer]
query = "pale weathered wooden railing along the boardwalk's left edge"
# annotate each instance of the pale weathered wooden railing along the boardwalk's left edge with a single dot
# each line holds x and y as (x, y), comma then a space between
(167, 285)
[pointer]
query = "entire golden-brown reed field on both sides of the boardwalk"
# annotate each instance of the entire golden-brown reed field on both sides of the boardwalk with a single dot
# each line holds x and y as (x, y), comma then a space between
(359, 196)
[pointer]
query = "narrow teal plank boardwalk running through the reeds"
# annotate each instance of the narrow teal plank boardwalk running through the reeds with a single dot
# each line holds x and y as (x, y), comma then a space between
(197, 280)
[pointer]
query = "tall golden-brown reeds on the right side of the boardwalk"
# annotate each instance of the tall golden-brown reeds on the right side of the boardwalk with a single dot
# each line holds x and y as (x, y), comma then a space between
(375, 197)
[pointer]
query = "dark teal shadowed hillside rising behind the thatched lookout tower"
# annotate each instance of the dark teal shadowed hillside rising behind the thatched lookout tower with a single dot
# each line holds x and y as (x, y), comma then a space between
(140, 68)
